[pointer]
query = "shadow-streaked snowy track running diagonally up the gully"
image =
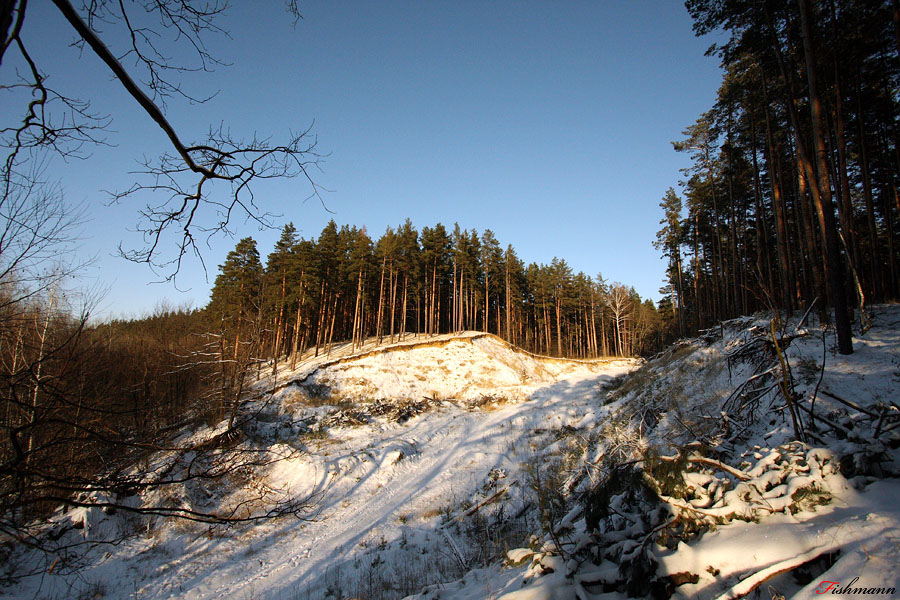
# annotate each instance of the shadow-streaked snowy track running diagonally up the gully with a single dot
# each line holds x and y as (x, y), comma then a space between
(455, 451)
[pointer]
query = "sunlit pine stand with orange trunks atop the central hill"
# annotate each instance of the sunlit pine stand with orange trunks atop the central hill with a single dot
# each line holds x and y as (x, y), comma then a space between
(343, 286)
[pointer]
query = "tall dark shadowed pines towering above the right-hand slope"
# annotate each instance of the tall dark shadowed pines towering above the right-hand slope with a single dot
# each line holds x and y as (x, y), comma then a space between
(793, 192)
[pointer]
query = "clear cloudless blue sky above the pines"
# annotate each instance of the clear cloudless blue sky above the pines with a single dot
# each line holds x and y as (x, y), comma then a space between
(547, 122)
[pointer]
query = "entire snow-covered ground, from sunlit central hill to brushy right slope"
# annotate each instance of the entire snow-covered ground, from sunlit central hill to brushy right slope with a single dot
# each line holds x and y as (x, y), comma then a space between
(460, 467)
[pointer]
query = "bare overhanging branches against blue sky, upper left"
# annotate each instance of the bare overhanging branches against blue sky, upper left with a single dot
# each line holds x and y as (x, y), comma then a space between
(181, 181)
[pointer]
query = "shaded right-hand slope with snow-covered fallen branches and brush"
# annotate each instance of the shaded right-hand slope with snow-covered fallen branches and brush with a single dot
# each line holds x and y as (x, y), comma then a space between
(738, 506)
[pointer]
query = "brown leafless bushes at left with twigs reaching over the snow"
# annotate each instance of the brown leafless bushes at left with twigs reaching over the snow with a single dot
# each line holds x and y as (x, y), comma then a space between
(79, 430)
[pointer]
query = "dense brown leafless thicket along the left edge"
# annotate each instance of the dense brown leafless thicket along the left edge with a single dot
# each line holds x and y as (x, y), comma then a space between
(79, 404)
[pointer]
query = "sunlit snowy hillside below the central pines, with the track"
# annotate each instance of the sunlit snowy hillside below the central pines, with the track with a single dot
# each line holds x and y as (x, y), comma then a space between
(389, 444)
